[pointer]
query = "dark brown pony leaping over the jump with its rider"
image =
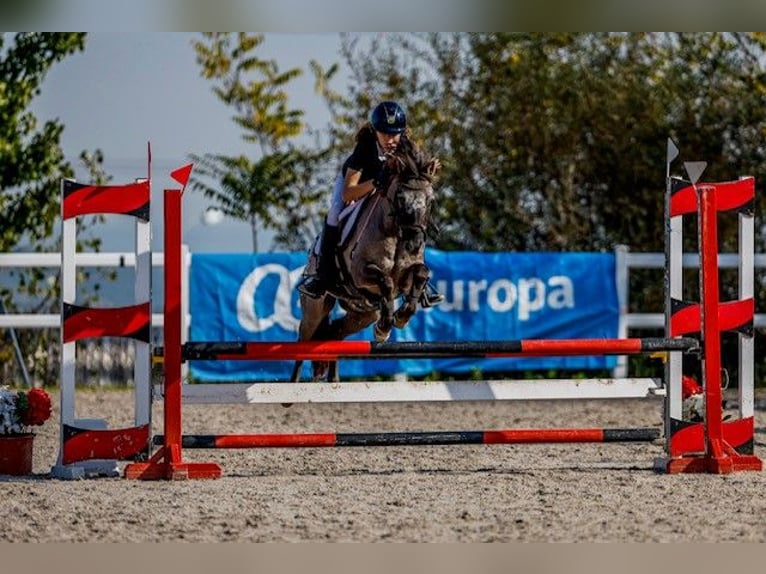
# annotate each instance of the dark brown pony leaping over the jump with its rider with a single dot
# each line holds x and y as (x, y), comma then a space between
(380, 261)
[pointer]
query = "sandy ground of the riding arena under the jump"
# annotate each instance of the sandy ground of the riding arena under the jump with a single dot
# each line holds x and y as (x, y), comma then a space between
(464, 493)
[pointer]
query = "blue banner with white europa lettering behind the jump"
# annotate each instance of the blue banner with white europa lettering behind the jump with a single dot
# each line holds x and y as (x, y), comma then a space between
(489, 296)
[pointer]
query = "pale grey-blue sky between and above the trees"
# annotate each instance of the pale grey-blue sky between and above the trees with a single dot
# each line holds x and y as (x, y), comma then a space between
(128, 89)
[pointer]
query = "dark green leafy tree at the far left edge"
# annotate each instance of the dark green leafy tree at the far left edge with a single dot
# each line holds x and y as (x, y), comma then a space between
(32, 166)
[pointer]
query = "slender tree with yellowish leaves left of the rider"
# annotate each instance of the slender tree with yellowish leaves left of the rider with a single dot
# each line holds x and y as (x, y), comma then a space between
(280, 188)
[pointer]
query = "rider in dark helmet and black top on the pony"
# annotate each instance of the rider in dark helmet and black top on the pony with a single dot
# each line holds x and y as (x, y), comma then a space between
(385, 133)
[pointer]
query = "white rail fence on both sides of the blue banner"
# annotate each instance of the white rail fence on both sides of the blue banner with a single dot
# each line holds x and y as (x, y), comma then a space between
(625, 261)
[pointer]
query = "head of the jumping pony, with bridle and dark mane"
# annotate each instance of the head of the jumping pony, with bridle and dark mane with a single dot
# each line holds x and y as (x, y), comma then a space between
(408, 183)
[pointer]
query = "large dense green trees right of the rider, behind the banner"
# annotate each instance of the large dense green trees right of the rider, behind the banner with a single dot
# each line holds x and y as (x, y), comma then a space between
(557, 141)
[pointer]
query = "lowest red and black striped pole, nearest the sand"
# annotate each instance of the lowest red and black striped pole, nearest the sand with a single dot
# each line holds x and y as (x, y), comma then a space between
(432, 438)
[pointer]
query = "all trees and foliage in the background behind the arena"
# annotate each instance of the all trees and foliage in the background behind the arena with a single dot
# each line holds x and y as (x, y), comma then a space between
(549, 141)
